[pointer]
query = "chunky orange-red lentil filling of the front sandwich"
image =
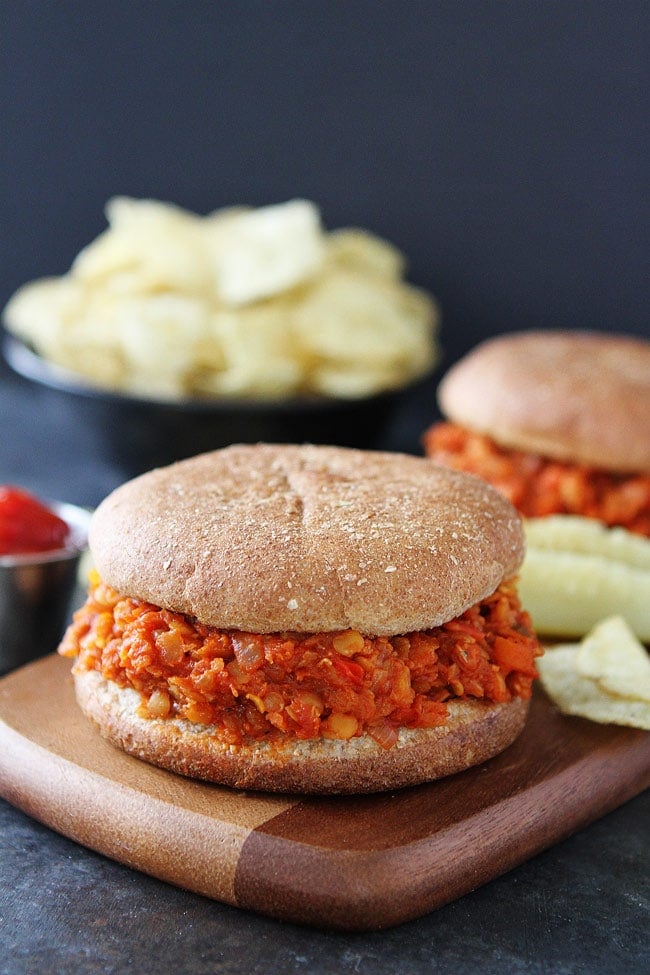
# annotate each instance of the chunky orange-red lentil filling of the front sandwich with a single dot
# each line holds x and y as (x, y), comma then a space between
(331, 685)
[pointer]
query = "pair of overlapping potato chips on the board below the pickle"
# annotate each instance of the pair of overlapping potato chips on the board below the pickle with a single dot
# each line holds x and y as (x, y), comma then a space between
(605, 677)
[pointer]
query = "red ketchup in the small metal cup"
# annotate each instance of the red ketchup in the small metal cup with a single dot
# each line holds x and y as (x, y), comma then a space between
(28, 525)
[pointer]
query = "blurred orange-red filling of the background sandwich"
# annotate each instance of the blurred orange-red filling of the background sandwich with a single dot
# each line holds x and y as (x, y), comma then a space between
(538, 486)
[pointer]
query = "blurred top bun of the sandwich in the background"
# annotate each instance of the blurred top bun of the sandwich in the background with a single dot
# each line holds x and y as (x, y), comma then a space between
(576, 396)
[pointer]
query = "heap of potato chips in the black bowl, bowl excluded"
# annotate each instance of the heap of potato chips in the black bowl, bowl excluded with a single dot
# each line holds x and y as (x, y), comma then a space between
(246, 303)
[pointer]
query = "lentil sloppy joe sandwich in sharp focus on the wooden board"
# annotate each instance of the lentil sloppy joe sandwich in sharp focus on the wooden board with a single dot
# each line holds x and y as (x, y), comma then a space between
(306, 619)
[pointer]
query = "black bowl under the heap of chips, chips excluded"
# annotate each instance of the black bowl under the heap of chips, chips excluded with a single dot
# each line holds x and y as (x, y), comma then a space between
(138, 434)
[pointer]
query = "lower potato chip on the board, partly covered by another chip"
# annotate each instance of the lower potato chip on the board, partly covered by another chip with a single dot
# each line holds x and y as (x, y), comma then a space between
(577, 695)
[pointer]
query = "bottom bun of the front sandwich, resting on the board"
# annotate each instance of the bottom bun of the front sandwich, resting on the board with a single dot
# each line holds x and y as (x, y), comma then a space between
(474, 732)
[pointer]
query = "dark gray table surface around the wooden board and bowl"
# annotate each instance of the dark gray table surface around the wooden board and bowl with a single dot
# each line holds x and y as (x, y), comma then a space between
(580, 907)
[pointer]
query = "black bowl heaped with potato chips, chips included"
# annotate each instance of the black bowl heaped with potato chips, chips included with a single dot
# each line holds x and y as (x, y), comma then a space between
(178, 333)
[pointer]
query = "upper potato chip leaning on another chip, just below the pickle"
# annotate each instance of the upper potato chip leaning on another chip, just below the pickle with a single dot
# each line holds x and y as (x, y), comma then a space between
(612, 656)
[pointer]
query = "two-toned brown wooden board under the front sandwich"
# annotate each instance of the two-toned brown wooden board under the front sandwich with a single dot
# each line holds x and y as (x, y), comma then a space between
(349, 863)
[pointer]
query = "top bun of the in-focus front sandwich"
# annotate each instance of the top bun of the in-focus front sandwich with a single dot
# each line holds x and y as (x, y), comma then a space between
(268, 538)
